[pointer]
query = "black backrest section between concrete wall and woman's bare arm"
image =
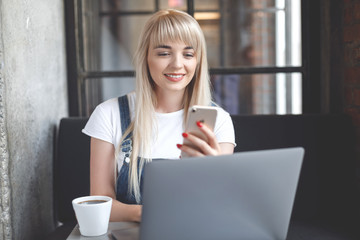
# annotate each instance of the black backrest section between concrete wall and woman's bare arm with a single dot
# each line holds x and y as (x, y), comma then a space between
(71, 167)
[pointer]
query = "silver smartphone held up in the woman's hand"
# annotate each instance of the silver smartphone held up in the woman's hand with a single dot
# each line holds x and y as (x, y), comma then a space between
(204, 114)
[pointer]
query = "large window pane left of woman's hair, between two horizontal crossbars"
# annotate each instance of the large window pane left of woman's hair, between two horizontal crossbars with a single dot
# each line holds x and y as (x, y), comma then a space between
(117, 40)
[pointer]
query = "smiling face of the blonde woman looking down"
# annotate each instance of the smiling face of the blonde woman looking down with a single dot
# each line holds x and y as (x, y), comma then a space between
(172, 66)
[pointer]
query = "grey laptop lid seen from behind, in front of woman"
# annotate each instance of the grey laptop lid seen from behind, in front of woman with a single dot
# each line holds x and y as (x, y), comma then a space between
(247, 195)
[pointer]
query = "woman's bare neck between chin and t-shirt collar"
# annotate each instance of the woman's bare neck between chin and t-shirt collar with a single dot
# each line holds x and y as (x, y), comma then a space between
(169, 102)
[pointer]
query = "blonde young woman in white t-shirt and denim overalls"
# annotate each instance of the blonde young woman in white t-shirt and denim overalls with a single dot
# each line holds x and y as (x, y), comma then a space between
(148, 124)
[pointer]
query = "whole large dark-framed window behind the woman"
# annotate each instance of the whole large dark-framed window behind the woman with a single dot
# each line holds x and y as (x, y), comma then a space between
(255, 51)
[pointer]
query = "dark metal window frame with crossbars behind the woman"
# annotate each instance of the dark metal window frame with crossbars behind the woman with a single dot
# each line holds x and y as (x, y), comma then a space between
(309, 69)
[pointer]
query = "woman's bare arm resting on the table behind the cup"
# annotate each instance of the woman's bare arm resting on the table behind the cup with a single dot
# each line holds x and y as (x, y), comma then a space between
(102, 175)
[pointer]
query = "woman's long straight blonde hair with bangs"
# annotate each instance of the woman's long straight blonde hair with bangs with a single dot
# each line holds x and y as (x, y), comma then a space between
(163, 26)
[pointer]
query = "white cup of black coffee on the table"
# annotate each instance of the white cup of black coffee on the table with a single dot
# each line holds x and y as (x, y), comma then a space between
(93, 214)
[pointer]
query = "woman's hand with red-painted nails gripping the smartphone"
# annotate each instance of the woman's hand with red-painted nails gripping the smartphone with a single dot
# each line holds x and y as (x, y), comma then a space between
(211, 147)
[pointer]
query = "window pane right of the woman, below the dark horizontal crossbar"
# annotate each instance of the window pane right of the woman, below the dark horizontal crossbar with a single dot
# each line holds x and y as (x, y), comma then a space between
(259, 93)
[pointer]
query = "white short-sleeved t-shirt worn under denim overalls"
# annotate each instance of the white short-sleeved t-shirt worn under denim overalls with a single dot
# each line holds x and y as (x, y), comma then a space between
(104, 124)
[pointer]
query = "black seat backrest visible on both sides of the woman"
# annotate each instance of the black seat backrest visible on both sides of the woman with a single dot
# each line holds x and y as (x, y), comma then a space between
(327, 181)
